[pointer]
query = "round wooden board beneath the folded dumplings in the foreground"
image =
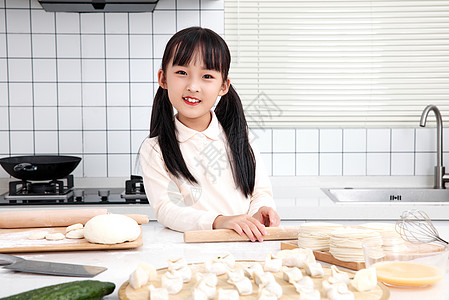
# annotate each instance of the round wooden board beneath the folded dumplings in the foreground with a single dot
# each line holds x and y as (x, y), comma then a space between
(126, 292)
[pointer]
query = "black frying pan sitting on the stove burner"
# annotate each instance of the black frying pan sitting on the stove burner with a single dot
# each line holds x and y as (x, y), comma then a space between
(39, 167)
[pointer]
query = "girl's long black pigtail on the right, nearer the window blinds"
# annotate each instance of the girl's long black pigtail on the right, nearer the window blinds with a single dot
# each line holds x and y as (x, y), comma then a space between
(230, 114)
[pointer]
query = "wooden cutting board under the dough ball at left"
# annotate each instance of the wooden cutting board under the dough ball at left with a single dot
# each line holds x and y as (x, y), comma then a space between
(16, 240)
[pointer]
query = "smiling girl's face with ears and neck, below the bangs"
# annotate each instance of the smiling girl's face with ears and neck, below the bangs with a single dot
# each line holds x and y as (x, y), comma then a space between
(193, 90)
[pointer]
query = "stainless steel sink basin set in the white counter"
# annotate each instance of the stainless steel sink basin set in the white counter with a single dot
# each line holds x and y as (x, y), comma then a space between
(387, 194)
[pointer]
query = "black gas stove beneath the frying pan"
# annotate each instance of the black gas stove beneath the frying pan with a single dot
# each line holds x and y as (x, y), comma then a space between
(63, 192)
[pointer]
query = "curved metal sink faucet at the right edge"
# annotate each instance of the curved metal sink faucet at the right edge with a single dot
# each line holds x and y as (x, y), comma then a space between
(440, 178)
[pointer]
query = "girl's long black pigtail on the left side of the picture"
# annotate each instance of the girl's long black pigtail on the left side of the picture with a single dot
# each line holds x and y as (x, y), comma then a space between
(163, 126)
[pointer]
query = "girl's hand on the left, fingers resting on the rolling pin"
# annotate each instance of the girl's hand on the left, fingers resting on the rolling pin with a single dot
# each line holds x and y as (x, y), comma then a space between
(242, 224)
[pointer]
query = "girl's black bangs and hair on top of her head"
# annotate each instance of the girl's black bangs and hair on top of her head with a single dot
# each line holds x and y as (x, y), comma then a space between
(187, 43)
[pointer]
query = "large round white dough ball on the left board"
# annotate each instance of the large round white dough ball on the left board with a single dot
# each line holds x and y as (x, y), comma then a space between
(111, 229)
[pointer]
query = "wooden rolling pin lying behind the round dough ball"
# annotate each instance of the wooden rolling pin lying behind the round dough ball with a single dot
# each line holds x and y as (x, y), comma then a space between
(55, 218)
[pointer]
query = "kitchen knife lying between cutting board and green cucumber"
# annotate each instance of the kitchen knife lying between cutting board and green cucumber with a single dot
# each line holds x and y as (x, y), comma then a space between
(42, 267)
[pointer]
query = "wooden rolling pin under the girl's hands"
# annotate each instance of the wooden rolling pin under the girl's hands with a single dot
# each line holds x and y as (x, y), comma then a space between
(227, 235)
